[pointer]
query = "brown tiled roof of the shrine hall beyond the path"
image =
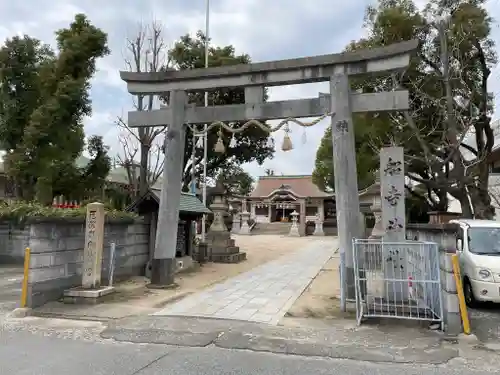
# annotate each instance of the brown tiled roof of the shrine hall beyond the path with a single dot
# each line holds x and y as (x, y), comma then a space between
(302, 186)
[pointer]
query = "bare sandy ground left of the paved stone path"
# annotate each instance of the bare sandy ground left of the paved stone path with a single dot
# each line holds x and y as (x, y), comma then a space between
(133, 298)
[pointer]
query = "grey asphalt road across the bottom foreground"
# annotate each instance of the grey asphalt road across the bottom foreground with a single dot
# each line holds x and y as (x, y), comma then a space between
(22, 352)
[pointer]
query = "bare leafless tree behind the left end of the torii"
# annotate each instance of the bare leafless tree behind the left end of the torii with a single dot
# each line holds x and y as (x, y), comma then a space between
(146, 52)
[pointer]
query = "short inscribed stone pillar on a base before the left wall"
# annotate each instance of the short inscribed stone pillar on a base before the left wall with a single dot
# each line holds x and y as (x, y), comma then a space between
(91, 290)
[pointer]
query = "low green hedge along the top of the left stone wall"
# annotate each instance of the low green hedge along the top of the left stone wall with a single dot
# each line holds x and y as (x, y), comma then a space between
(19, 212)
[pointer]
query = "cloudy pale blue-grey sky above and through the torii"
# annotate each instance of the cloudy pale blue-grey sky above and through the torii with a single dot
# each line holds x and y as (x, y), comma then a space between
(267, 30)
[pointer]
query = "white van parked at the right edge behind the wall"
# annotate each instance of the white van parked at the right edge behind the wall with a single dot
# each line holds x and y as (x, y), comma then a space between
(478, 247)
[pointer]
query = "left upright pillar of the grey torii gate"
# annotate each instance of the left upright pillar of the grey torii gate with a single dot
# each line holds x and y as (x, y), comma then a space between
(162, 267)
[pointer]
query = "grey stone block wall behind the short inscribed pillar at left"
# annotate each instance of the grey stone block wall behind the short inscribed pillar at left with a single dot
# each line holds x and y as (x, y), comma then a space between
(57, 254)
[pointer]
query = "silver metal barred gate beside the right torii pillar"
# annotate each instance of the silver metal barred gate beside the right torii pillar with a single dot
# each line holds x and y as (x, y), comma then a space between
(397, 280)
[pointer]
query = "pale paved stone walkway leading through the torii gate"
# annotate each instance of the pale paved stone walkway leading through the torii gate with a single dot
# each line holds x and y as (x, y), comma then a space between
(263, 294)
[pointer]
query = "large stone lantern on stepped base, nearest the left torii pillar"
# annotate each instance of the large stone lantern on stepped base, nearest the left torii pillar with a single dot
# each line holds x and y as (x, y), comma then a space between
(221, 247)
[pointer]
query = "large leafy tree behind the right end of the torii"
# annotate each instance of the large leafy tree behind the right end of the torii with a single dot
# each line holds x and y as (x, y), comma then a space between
(450, 101)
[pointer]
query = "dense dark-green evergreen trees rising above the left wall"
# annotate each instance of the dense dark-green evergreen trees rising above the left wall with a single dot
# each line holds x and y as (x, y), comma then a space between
(43, 100)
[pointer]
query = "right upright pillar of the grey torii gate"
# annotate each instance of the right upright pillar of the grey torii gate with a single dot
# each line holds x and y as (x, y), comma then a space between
(346, 180)
